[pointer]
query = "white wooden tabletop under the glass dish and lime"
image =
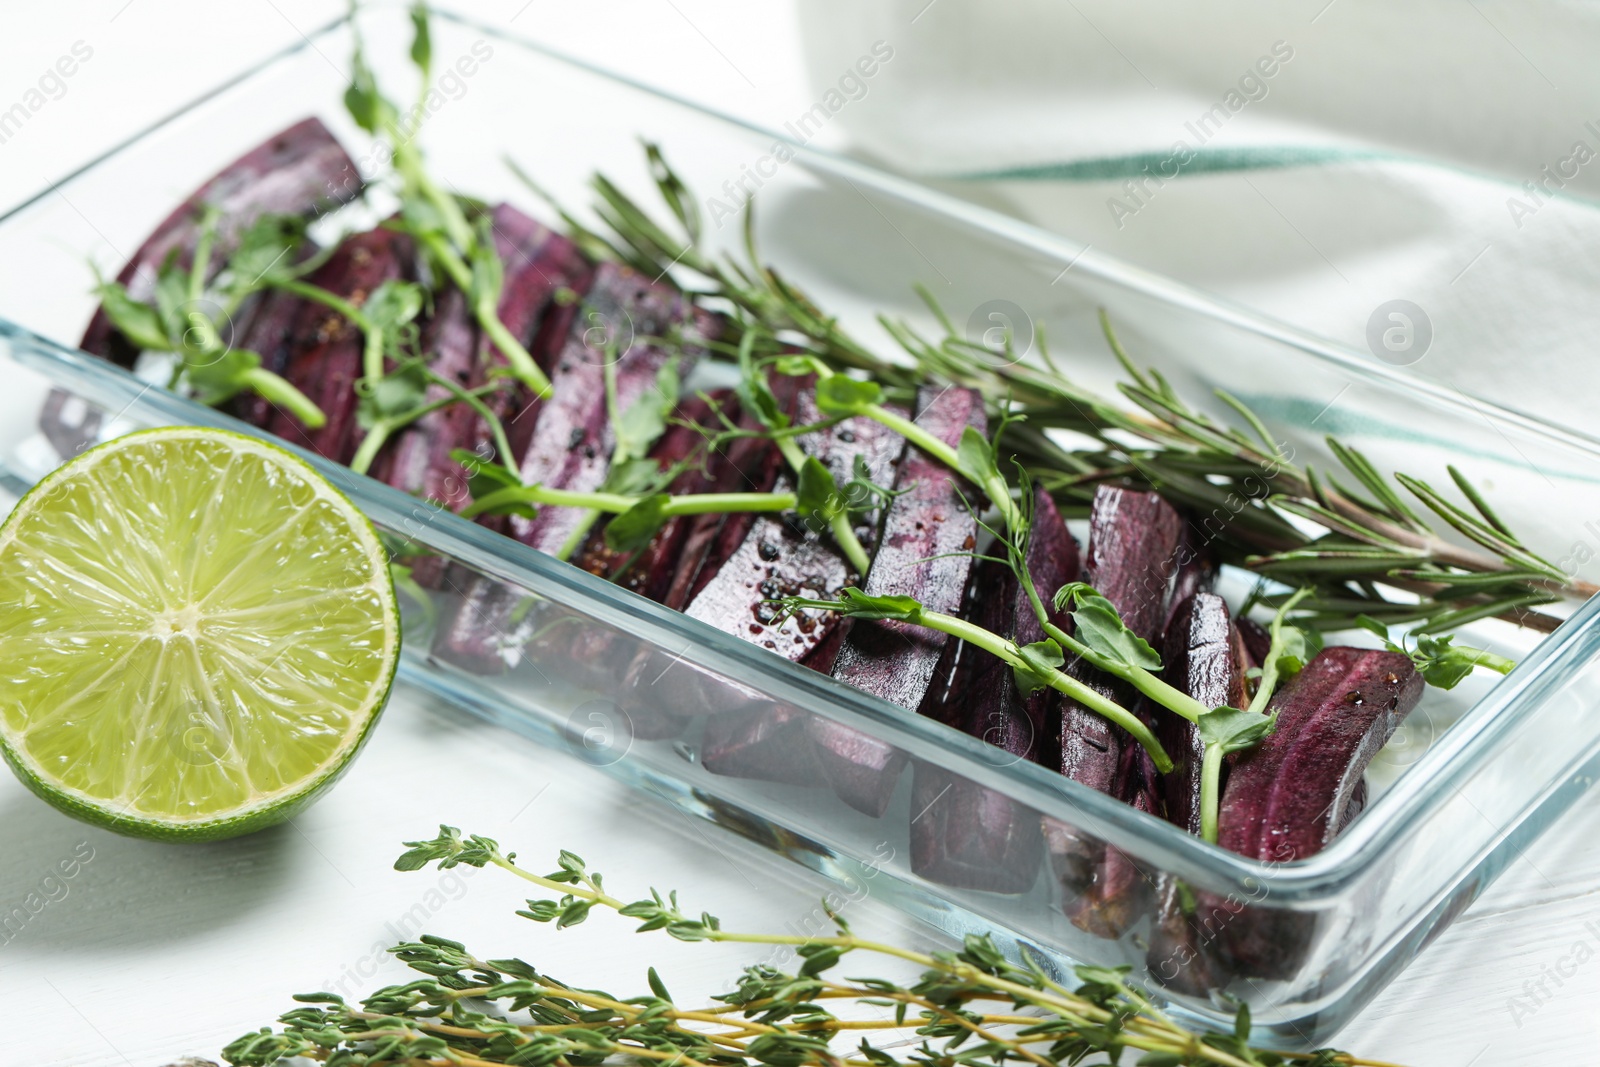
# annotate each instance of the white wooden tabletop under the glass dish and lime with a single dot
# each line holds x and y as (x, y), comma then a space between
(150, 953)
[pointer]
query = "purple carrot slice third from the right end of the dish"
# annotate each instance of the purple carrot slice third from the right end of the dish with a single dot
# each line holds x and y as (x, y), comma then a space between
(1132, 559)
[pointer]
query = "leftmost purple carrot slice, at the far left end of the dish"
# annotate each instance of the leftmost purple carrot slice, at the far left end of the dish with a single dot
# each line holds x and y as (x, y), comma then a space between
(298, 172)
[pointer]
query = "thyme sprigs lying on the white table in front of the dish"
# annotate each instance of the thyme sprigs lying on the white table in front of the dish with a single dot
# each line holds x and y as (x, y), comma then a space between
(970, 1009)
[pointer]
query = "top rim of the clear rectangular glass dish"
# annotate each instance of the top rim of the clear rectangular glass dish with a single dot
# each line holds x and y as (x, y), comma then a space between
(1462, 751)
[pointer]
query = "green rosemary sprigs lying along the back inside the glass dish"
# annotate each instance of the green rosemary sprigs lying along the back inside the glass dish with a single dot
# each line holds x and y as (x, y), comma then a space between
(1241, 482)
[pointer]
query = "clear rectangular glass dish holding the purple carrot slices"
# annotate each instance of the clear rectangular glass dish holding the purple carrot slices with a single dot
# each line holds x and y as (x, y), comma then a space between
(634, 689)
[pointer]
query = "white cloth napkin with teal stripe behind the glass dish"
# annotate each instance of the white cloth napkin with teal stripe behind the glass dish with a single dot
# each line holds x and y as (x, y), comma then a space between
(1314, 161)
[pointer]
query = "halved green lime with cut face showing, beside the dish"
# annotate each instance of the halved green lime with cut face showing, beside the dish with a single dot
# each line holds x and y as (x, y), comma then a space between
(198, 633)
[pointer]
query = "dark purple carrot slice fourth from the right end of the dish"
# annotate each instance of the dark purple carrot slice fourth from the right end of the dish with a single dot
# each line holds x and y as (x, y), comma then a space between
(964, 834)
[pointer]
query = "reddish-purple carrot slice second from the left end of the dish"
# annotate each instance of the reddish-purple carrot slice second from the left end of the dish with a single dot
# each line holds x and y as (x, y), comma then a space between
(327, 350)
